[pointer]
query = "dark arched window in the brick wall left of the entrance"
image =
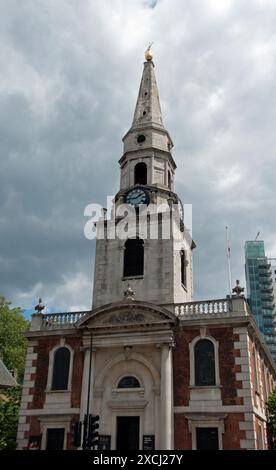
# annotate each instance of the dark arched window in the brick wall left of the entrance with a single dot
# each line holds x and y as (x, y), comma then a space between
(61, 369)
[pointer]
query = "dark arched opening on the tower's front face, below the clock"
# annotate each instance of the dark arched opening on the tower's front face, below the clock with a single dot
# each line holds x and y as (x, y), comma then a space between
(134, 257)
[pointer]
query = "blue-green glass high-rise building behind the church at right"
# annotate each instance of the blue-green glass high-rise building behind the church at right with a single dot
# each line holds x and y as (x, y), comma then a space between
(260, 293)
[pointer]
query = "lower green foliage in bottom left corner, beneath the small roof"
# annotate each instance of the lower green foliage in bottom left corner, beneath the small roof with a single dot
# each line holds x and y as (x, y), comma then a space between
(9, 410)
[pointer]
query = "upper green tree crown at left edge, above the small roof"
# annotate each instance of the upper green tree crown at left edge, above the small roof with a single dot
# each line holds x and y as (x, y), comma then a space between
(12, 340)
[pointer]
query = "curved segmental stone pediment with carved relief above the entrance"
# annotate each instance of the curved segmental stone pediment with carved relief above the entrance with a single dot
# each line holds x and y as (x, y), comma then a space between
(126, 314)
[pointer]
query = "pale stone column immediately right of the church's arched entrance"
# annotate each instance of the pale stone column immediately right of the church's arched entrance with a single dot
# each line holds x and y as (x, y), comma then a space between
(166, 398)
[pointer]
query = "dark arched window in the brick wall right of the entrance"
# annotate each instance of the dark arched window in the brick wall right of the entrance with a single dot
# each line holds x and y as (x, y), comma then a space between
(205, 371)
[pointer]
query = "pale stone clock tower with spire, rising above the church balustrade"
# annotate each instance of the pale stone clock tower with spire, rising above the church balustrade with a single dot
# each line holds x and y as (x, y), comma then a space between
(158, 267)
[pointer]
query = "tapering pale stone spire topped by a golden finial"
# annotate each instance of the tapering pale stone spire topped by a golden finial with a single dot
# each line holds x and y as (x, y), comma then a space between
(148, 109)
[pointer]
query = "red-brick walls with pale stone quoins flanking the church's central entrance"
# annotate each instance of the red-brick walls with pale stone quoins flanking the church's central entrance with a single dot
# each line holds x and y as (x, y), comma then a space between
(236, 405)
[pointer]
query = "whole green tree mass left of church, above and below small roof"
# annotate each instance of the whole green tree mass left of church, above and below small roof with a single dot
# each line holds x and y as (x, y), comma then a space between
(13, 347)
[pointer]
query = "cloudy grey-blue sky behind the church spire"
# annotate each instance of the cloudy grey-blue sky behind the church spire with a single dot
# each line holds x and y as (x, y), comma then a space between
(69, 78)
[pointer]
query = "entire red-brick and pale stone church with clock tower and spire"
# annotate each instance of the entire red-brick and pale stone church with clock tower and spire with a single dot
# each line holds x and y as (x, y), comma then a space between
(160, 369)
